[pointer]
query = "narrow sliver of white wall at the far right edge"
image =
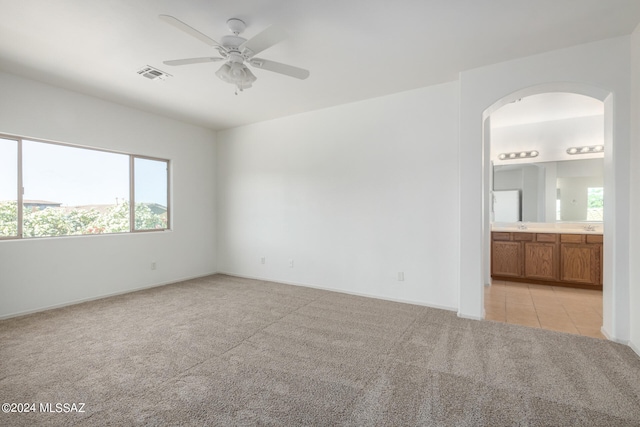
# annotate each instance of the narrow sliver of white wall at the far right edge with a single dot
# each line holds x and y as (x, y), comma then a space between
(634, 194)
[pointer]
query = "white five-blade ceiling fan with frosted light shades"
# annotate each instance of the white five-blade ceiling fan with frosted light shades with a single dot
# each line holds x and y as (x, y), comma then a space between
(237, 51)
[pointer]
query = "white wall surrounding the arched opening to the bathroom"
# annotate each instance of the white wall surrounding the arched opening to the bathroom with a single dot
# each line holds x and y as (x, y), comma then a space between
(597, 69)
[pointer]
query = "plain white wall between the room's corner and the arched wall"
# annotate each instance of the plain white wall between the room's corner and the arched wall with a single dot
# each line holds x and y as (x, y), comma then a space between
(353, 194)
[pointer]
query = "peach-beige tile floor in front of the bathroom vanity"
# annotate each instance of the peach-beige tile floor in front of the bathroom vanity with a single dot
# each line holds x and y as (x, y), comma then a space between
(576, 311)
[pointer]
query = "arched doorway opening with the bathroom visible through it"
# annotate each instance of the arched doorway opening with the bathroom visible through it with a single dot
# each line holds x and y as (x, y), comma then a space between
(554, 190)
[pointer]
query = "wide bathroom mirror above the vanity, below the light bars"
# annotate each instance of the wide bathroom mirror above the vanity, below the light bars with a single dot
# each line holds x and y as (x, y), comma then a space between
(561, 191)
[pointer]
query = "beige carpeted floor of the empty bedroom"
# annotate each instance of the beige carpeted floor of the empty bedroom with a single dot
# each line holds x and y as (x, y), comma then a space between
(228, 351)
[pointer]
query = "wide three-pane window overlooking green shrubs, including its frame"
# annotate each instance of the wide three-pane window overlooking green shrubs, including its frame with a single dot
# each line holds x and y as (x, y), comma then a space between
(69, 190)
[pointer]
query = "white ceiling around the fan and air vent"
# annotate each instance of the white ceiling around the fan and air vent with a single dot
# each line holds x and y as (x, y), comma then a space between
(355, 49)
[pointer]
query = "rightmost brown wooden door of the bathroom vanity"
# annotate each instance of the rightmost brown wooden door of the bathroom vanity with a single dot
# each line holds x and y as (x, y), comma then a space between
(579, 263)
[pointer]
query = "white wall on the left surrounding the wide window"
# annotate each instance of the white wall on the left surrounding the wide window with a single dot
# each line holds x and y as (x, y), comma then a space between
(40, 273)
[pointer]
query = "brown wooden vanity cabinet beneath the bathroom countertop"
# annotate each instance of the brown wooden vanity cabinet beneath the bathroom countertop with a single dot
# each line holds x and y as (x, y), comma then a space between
(548, 258)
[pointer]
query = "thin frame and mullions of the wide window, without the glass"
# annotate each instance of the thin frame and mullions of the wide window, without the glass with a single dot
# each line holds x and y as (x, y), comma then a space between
(132, 229)
